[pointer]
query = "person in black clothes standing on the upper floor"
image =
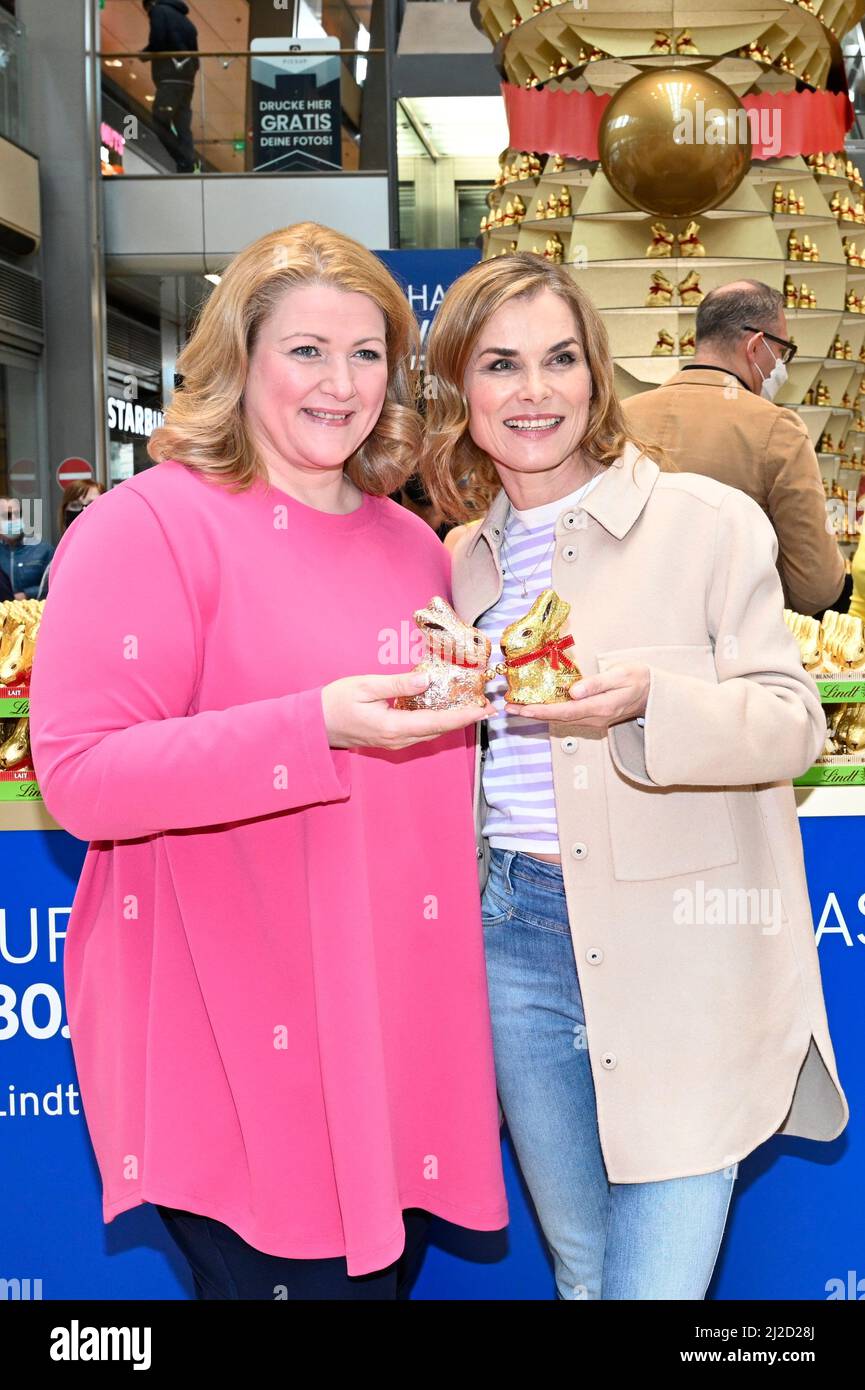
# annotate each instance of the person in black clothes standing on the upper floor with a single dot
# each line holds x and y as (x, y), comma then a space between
(172, 30)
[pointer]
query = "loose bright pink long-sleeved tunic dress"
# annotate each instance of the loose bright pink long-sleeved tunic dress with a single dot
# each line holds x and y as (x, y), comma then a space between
(275, 964)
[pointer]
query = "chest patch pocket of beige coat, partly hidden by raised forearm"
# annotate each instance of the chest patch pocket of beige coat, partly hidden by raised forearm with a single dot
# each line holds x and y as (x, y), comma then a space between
(665, 832)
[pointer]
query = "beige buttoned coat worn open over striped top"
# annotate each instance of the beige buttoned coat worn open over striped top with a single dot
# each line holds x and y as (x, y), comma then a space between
(681, 847)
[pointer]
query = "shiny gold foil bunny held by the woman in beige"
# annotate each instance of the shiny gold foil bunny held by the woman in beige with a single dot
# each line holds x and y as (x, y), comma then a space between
(536, 664)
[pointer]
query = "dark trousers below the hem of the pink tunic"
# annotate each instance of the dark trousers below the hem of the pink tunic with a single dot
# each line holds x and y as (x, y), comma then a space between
(225, 1267)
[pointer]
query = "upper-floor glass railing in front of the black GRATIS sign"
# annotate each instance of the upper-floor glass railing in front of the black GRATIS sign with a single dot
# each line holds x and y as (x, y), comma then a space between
(289, 109)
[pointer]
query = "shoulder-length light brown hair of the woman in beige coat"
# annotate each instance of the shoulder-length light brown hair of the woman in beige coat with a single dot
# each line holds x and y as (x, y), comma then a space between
(458, 476)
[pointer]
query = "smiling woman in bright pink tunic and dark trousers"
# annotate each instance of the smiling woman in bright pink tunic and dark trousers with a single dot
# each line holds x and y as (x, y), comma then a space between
(275, 965)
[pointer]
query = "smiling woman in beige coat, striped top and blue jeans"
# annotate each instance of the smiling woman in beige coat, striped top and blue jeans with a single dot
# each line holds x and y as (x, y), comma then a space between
(653, 971)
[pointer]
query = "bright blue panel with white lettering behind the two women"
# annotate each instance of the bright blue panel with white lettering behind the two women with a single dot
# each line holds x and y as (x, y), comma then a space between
(798, 1223)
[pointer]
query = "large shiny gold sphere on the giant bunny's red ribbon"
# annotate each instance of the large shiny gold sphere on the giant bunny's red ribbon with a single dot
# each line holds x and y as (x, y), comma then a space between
(675, 142)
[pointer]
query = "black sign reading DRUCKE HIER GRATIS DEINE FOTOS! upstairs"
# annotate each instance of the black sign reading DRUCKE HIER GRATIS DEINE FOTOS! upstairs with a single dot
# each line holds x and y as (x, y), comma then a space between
(296, 106)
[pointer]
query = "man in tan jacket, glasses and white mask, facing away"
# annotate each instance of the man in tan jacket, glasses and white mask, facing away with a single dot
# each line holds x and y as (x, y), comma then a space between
(716, 416)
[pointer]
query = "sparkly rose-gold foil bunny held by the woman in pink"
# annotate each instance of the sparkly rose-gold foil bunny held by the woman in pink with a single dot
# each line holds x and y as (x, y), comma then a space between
(455, 657)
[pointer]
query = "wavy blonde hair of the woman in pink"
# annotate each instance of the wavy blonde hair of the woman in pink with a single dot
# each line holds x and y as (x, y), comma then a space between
(205, 426)
